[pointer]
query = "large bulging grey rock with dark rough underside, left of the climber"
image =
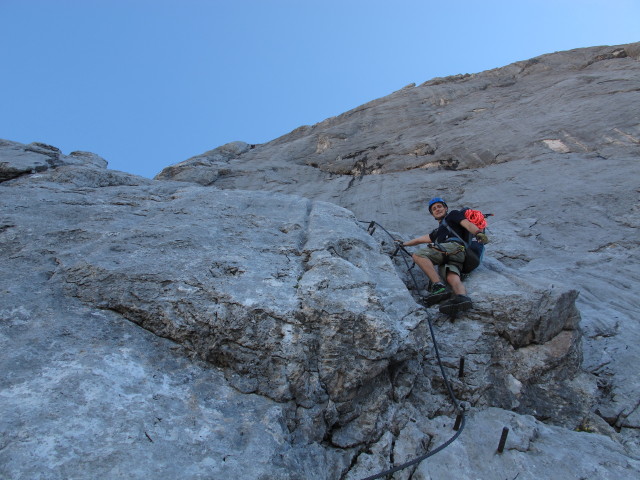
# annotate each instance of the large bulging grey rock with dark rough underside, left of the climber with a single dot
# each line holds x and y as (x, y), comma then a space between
(288, 295)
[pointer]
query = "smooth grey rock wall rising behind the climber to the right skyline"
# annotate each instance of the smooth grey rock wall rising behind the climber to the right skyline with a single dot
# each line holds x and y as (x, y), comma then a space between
(549, 145)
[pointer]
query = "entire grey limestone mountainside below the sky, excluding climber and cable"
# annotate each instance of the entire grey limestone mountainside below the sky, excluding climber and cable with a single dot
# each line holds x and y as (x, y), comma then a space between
(243, 322)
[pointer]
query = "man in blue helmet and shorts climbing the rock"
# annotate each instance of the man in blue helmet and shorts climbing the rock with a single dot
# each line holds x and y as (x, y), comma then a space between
(448, 252)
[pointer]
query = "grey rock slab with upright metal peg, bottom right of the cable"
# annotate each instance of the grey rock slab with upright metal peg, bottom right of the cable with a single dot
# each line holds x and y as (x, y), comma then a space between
(530, 449)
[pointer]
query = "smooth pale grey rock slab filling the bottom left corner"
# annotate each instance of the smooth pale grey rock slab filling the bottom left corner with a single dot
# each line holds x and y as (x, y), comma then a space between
(90, 395)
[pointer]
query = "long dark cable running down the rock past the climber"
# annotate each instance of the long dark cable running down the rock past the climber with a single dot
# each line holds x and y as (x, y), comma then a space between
(460, 419)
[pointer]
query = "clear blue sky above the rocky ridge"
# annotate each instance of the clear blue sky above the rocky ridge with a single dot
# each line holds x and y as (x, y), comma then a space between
(149, 83)
